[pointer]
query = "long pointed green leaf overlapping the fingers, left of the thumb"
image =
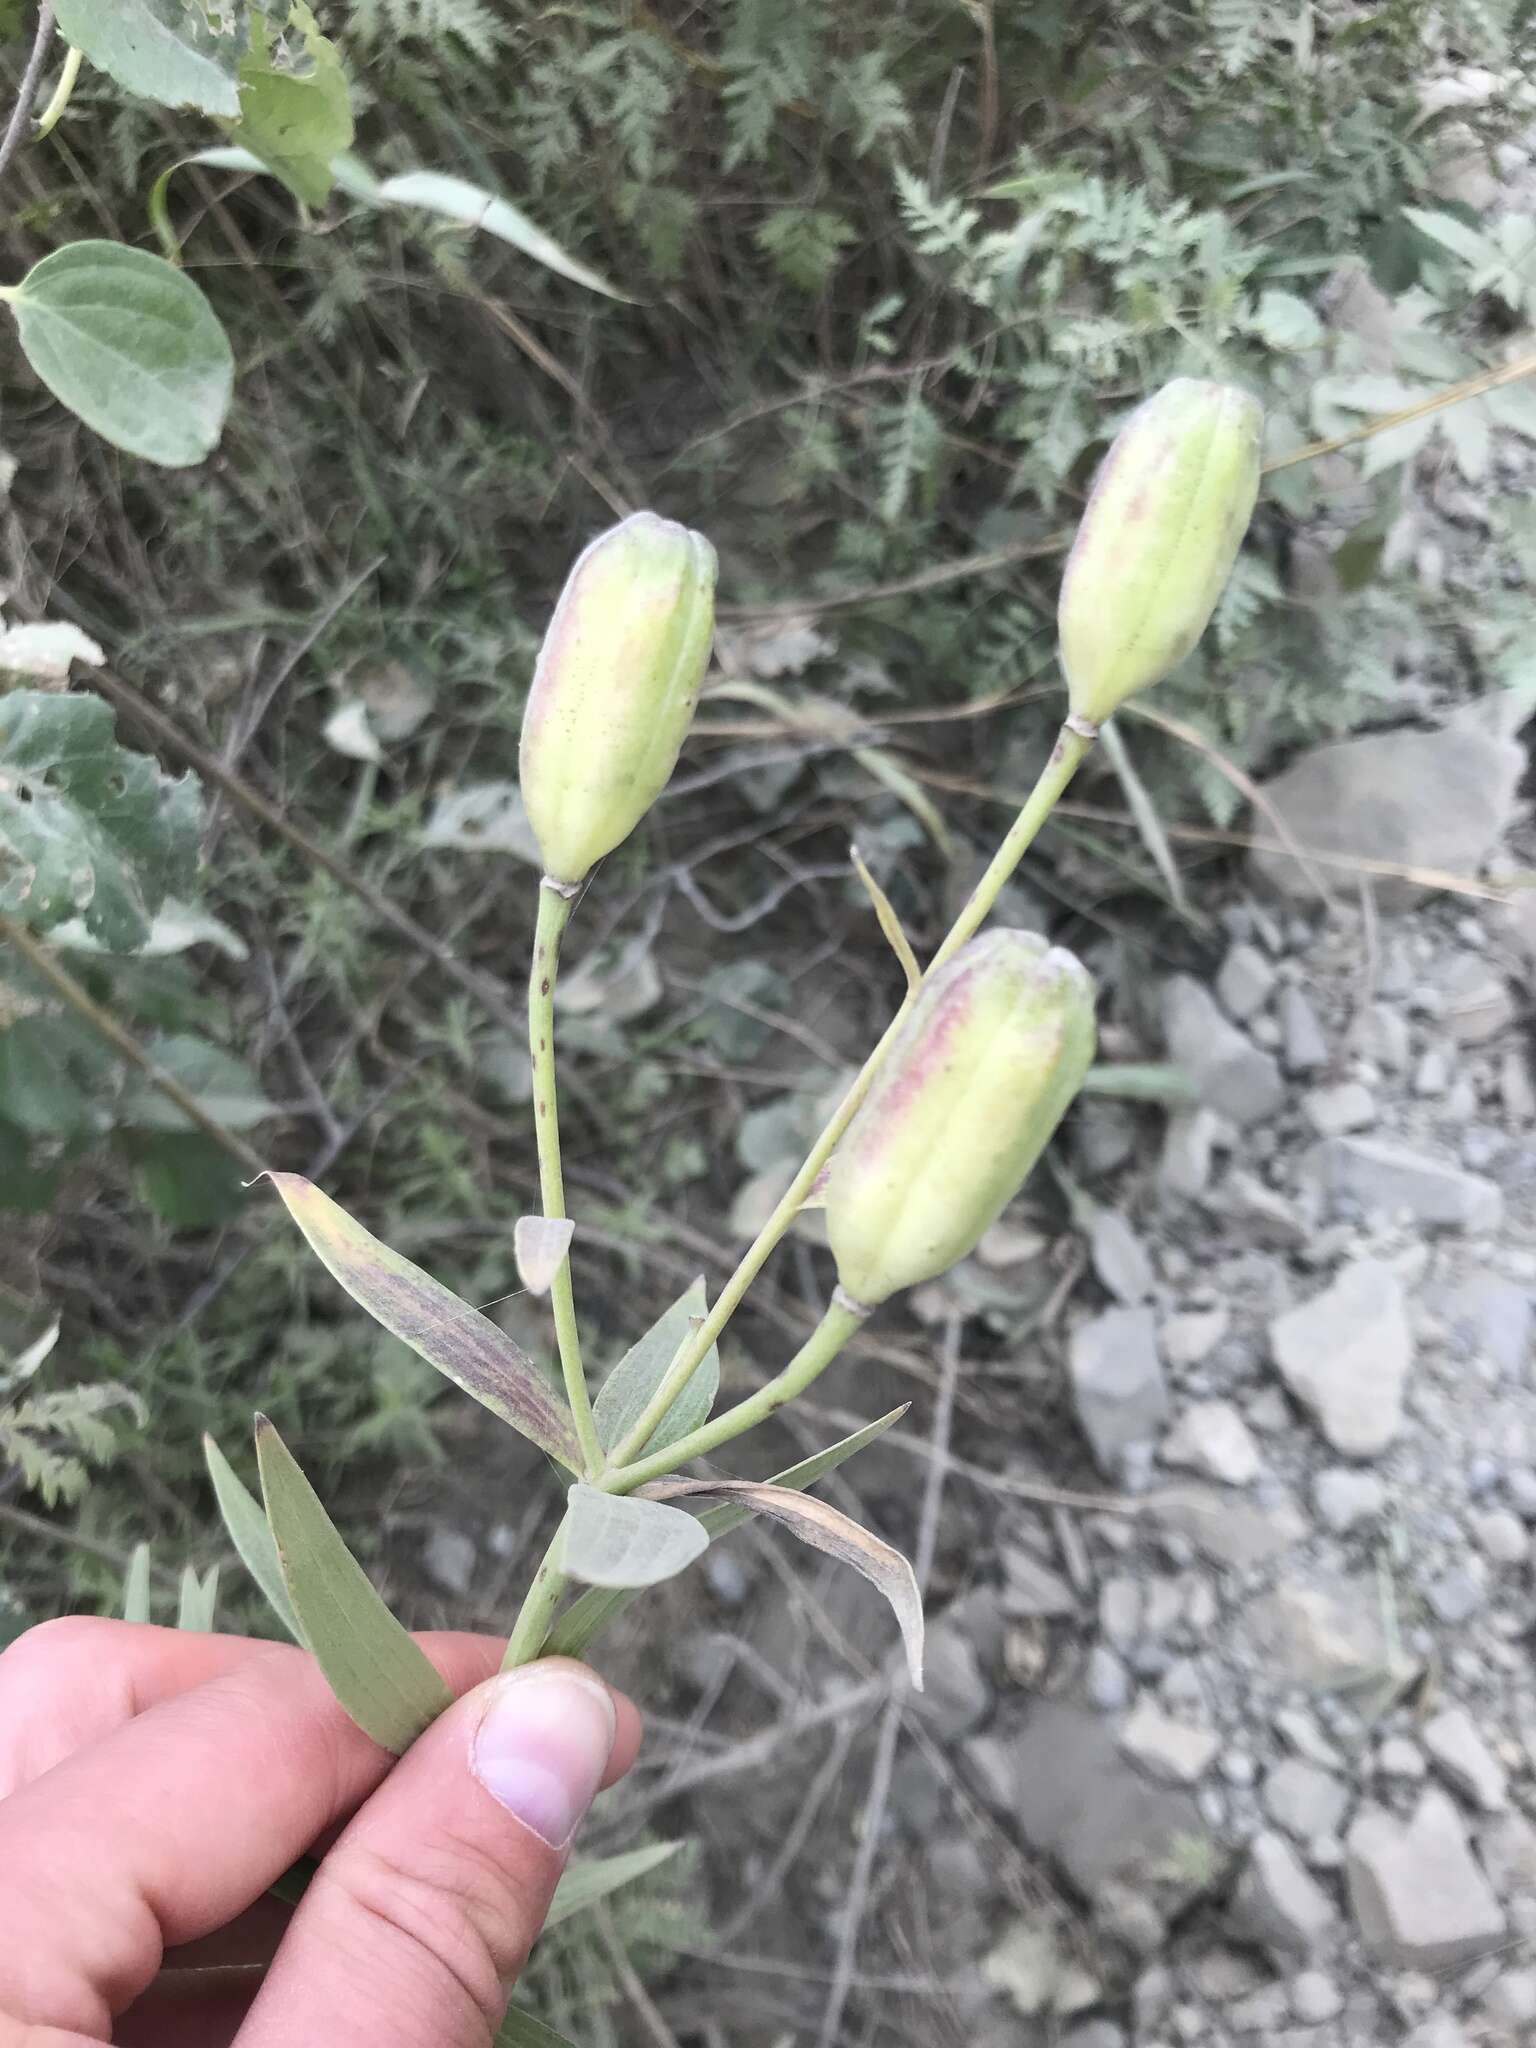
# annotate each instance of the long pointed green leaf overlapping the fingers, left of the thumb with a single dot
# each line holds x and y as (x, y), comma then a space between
(372, 1664)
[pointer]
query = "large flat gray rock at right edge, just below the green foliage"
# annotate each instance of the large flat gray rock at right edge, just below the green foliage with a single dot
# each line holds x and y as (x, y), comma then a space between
(1406, 798)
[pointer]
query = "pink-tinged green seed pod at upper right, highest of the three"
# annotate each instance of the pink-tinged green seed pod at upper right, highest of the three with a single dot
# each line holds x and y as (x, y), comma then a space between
(1158, 542)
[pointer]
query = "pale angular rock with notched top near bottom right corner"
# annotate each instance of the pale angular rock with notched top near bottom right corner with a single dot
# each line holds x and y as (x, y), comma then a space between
(1416, 1889)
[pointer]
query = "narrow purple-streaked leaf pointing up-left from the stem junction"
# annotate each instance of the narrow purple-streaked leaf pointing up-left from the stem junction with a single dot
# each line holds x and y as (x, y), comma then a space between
(421, 1312)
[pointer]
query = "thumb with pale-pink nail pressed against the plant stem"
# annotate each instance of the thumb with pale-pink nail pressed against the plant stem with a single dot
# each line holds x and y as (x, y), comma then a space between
(423, 1914)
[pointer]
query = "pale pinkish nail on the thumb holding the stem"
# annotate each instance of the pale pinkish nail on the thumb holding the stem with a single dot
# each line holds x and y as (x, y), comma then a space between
(544, 1746)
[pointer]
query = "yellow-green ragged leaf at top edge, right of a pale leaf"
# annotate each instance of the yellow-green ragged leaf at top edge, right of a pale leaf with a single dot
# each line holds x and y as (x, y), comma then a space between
(296, 112)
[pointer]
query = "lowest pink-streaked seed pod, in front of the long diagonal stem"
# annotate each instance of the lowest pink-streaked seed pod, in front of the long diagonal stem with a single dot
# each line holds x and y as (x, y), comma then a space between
(962, 1109)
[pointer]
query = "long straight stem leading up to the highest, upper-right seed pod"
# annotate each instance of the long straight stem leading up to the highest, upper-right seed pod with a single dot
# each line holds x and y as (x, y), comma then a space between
(1058, 773)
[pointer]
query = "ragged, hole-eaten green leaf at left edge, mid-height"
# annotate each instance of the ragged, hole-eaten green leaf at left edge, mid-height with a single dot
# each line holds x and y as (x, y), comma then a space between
(87, 828)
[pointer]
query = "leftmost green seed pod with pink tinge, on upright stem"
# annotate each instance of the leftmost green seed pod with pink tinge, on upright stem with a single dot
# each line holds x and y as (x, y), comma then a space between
(615, 689)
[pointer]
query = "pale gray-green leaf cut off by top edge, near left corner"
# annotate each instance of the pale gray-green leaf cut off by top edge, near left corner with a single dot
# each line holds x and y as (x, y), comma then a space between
(163, 50)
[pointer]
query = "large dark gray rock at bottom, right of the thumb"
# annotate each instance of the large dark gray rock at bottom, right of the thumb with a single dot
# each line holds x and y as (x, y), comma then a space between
(1101, 1822)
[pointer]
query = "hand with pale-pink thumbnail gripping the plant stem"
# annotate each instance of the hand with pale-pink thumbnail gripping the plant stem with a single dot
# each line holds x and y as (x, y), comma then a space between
(155, 1785)
